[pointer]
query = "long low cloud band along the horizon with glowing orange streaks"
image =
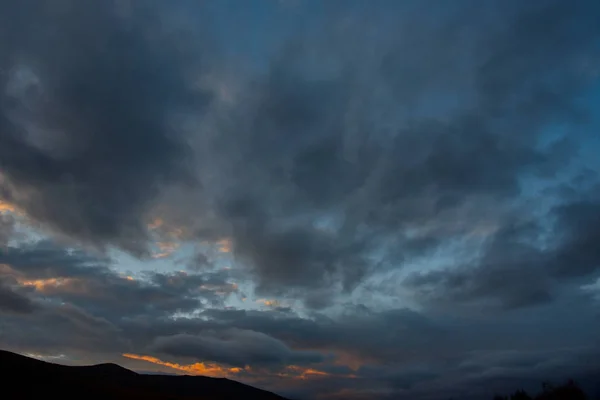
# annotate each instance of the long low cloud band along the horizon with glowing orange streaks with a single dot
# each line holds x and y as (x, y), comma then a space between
(401, 352)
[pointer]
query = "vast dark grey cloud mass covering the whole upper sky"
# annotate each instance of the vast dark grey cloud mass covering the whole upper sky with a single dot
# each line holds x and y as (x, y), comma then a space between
(321, 168)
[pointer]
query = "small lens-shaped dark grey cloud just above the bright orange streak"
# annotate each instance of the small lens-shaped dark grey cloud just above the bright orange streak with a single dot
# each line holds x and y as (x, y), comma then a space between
(235, 347)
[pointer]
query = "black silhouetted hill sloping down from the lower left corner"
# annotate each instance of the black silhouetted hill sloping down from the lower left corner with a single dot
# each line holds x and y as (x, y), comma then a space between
(28, 378)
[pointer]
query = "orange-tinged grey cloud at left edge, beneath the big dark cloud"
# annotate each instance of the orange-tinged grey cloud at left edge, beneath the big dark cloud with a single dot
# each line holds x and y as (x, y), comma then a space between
(89, 281)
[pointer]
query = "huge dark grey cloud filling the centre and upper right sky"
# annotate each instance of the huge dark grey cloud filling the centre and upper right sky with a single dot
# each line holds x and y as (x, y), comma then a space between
(338, 162)
